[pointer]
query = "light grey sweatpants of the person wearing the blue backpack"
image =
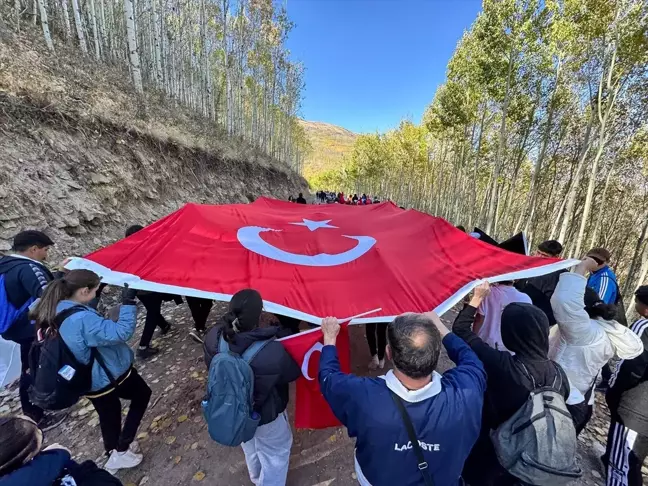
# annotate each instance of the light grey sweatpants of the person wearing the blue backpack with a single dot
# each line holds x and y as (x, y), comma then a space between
(267, 455)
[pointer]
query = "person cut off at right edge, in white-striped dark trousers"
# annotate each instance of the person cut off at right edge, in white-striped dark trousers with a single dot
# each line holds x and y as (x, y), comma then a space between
(627, 445)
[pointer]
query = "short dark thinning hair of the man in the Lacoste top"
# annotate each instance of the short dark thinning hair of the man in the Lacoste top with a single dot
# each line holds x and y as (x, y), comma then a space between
(415, 344)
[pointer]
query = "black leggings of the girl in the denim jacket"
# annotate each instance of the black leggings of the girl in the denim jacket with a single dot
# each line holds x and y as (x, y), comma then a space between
(108, 406)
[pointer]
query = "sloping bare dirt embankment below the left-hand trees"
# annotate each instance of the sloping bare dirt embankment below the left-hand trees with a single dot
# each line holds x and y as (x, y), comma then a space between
(82, 158)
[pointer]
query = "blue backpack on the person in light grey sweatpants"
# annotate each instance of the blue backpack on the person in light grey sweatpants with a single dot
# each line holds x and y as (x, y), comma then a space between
(228, 405)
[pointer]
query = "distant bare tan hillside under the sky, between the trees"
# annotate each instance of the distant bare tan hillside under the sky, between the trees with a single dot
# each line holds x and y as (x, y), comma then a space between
(330, 145)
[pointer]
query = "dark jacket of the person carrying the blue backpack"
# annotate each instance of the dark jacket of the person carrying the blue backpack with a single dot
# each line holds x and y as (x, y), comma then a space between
(273, 368)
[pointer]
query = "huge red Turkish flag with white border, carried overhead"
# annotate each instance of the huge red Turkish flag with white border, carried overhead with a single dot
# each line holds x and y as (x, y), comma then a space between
(310, 261)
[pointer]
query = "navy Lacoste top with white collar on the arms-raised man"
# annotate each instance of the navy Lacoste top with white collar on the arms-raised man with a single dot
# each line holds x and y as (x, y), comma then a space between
(446, 415)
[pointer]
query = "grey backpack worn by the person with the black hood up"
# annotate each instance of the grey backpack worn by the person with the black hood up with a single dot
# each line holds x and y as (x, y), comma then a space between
(538, 443)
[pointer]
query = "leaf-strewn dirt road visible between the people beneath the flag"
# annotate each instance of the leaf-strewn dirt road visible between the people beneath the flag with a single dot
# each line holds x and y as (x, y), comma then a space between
(178, 451)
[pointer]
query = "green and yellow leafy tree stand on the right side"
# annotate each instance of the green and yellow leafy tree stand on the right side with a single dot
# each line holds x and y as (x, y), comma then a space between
(541, 126)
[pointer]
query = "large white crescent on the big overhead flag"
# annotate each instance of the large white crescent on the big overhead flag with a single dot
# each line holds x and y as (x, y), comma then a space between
(249, 237)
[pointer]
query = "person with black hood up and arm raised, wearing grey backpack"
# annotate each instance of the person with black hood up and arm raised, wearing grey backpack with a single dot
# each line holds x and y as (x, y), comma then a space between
(525, 331)
